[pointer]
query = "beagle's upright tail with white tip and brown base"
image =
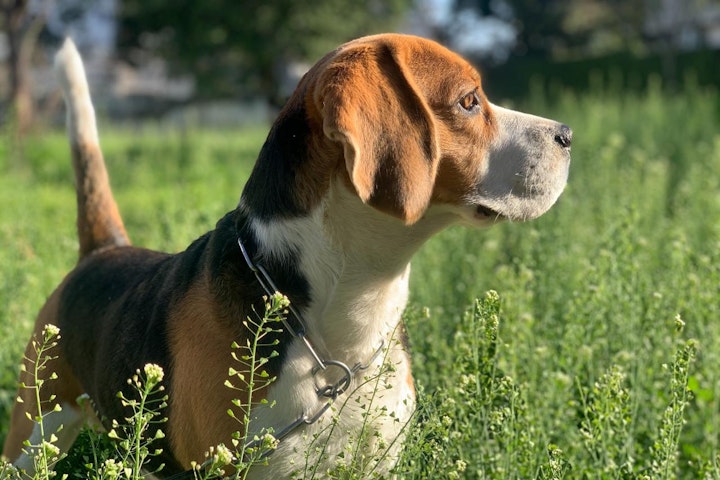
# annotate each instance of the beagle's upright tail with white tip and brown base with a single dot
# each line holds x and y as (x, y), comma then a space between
(98, 219)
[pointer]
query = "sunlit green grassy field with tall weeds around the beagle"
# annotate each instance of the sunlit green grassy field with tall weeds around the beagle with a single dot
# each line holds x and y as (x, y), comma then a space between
(599, 356)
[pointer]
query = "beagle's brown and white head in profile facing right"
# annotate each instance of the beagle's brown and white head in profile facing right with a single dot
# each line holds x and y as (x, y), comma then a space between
(406, 124)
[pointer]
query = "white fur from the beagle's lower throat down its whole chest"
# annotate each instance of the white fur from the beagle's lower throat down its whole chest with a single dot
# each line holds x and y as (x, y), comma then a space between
(354, 310)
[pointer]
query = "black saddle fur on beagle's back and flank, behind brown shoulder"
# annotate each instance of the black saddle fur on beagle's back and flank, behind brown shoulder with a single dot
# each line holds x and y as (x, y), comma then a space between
(113, 313)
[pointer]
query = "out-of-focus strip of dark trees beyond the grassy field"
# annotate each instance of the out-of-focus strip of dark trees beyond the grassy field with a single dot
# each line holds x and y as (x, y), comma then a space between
(225, 61)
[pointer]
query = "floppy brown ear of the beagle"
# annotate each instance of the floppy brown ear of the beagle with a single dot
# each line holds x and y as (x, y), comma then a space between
(372, 105)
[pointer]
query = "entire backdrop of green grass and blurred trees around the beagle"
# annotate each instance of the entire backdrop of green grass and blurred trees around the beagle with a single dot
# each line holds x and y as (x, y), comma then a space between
(605, 358)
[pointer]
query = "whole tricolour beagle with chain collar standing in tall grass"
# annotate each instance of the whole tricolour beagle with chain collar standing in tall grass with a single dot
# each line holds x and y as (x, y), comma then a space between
(386, 141)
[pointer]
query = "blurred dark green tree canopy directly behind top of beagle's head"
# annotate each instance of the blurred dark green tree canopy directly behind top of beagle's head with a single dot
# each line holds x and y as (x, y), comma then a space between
(246, 46)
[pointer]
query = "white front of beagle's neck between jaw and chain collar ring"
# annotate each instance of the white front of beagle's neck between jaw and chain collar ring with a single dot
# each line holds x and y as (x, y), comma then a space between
(358, 284)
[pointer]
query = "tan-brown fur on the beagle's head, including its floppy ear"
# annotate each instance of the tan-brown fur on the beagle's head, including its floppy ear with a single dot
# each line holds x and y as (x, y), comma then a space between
(389, 106)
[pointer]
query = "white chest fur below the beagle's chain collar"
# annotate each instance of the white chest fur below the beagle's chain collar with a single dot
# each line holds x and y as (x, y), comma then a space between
(361, 428)
